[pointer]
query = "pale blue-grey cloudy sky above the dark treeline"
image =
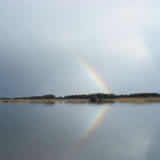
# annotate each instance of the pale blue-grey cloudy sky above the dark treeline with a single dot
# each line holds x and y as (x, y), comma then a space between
(41, 42)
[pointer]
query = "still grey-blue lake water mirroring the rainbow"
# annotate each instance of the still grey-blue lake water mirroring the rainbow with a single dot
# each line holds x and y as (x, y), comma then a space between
(79, 131)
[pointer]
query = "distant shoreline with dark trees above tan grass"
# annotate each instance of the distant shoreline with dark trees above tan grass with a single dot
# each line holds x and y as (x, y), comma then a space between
(88, 98)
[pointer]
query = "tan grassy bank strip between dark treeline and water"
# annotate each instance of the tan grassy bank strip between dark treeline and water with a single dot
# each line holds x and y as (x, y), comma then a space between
(86, 100)
